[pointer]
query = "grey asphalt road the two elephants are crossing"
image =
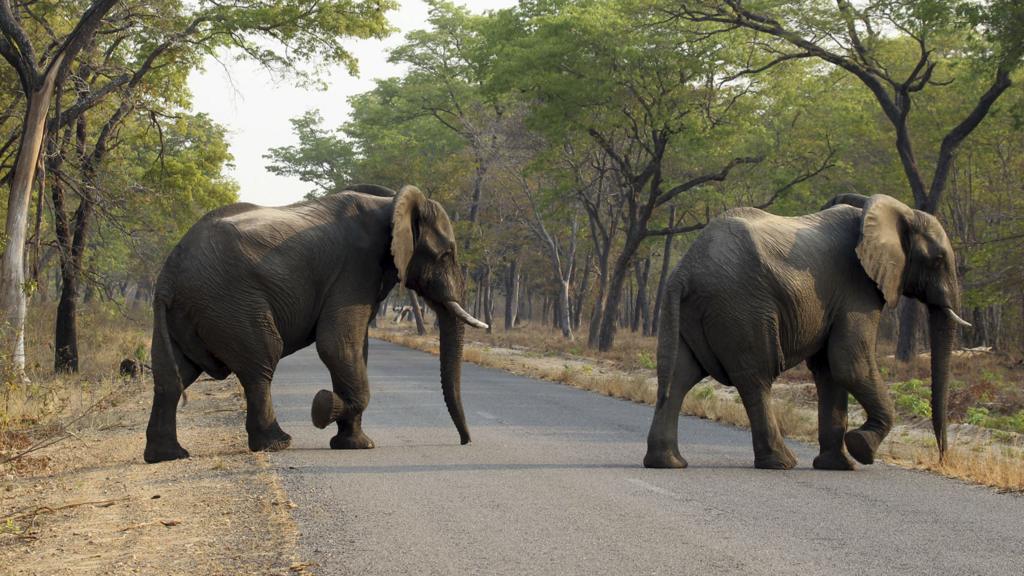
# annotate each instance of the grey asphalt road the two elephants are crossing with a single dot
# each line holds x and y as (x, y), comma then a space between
(552, 484)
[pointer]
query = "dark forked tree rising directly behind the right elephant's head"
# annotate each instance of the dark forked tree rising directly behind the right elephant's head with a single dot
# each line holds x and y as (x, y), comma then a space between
(859, 40)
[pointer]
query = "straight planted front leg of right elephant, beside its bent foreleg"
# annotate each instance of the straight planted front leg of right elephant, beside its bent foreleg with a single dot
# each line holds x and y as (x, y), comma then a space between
(833, 407)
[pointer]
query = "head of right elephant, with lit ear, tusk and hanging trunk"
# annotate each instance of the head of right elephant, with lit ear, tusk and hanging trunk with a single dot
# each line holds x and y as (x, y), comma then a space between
(907, 253)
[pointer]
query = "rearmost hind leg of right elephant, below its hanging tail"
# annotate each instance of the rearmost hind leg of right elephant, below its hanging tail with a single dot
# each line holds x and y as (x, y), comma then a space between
(663, 440)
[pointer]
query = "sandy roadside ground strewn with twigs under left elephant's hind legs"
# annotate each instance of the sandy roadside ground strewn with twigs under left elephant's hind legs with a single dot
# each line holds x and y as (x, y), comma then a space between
(91, 506)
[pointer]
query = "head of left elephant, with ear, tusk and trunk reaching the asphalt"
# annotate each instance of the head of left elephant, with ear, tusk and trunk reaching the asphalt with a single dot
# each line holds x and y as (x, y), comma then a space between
(424, 249)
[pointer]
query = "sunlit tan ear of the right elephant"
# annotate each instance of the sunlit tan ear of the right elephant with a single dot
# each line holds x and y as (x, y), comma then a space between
(883, 228)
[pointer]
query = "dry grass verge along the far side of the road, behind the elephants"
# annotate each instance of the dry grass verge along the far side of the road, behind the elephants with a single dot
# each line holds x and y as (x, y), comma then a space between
(627, 374)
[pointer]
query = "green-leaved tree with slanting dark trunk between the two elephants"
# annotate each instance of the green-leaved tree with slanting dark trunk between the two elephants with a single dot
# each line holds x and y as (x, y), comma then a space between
(612, 73)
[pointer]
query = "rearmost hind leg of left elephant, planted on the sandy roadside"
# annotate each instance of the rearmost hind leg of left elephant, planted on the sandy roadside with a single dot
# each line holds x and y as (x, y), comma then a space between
(169, 364)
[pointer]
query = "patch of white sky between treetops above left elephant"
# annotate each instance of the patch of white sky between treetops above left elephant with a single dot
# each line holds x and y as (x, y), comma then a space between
(257, 109)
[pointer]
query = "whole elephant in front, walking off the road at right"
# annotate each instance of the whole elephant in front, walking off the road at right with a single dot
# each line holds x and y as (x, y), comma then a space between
(759, 294)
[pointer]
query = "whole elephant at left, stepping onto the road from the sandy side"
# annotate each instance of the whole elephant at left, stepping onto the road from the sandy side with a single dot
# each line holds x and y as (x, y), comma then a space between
(249, 285)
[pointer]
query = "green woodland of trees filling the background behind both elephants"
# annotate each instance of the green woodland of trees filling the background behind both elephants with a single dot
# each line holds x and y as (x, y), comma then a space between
(579, 146)
